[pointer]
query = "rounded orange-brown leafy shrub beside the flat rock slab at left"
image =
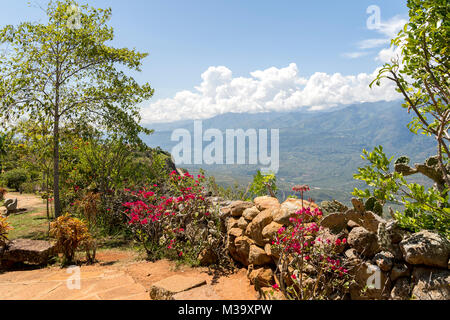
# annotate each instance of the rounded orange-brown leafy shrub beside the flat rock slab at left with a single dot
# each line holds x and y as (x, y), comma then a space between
(70, 234)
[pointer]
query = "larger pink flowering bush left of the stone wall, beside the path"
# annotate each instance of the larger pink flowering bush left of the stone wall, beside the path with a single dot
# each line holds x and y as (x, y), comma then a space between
(180, 225)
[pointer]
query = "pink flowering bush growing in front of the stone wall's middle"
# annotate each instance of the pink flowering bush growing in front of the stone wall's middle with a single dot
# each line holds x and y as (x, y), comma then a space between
(309, 267)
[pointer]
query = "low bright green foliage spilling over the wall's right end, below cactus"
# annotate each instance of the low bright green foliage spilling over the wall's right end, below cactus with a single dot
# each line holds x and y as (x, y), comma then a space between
(425, 208)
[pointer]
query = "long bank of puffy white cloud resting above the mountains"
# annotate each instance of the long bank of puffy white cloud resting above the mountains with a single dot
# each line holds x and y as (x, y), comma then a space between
(273, 89)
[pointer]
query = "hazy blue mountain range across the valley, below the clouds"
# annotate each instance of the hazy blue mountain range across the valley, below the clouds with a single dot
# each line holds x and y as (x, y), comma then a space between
(321, 149)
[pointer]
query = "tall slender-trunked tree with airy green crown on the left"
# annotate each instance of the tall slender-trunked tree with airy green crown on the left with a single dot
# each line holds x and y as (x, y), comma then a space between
(67, 73)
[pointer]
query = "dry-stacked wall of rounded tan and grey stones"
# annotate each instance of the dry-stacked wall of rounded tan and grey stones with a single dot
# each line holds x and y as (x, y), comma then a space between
(407, 265)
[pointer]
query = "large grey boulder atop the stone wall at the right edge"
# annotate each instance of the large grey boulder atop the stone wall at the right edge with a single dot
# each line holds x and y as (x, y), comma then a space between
(426, 247)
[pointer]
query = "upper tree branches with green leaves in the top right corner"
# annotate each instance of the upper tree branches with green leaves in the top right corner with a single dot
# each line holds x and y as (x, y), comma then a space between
(422, 73)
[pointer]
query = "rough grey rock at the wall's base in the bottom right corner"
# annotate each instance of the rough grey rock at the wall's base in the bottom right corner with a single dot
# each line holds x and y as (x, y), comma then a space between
(431, 283)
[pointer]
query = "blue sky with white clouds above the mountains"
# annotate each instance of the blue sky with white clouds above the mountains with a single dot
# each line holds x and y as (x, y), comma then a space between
(185, 38)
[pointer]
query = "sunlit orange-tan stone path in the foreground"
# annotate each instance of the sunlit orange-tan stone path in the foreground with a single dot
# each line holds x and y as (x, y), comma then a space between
(118, 276)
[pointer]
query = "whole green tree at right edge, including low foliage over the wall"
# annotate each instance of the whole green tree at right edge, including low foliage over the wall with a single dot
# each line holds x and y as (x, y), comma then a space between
(422, 77)
